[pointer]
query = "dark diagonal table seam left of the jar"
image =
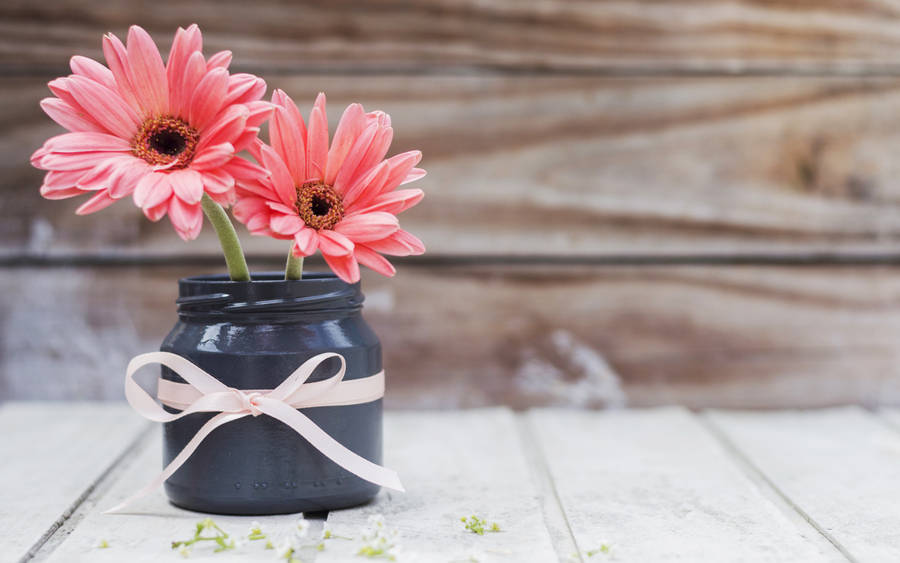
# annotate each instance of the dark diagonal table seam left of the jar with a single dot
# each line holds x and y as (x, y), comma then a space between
(69, 519)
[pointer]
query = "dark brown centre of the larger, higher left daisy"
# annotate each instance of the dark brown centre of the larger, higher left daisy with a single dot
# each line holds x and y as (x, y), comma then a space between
(165, 140)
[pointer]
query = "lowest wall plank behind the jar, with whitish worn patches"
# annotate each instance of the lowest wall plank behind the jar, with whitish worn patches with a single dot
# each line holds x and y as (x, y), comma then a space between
(484, 335)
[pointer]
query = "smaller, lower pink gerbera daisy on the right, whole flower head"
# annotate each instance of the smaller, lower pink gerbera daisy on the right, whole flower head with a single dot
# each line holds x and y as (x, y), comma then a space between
(340, 199)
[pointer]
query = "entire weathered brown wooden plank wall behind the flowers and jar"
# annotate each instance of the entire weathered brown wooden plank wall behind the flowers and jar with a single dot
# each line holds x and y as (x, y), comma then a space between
(628, 202)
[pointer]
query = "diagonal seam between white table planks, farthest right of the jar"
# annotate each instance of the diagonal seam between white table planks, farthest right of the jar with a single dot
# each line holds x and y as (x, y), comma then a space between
(767, 486)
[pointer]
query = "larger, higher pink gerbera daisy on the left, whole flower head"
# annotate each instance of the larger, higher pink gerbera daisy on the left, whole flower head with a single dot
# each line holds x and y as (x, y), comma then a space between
(165, 133)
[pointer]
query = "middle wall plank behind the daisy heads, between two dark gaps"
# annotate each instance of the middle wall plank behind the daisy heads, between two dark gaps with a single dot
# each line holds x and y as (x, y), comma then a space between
(585, 166)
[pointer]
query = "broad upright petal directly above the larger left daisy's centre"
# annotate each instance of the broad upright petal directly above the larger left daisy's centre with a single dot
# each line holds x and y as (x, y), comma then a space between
(147, 72)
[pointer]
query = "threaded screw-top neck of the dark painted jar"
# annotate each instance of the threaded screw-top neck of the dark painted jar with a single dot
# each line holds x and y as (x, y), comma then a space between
(268, 298)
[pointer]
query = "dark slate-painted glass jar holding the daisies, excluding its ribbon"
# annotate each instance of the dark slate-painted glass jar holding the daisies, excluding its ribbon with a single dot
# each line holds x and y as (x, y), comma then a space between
(252, 335)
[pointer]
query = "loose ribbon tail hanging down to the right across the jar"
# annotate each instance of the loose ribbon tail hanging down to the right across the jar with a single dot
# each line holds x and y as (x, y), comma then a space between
(331, 448)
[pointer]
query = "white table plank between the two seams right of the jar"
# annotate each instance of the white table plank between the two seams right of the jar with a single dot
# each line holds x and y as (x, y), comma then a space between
(654, 486)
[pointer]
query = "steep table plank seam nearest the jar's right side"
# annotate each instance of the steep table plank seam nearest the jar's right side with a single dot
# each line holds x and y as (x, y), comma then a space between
(551, 504)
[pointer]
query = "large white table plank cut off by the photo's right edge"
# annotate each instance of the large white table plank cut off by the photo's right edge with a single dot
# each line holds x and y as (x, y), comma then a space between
(838, 467)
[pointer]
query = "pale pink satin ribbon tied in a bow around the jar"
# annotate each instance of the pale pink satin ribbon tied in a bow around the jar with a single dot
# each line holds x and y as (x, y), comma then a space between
(205, 393)
